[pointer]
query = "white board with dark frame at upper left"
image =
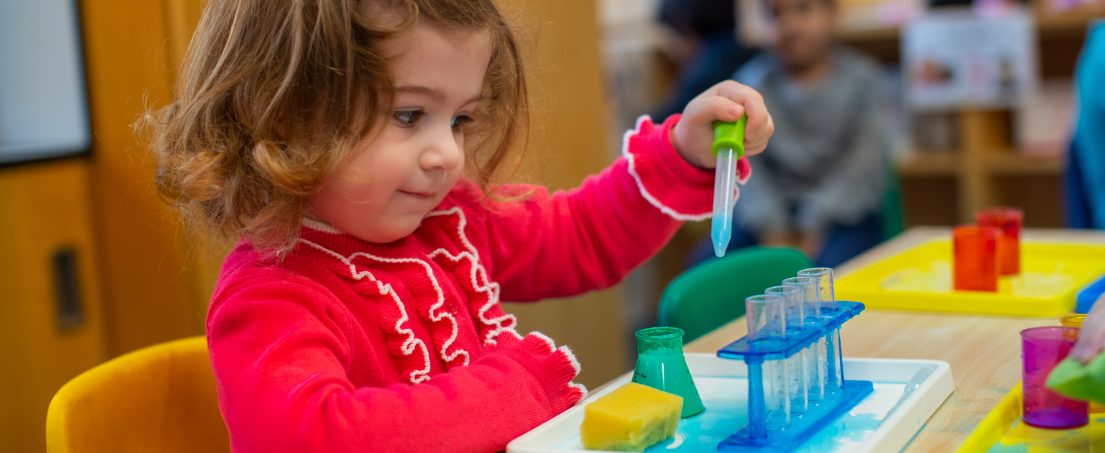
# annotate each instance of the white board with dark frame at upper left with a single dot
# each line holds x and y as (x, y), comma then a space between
(44, 101)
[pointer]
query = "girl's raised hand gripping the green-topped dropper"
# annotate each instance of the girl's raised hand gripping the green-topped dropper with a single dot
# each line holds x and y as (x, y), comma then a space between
(725, 102)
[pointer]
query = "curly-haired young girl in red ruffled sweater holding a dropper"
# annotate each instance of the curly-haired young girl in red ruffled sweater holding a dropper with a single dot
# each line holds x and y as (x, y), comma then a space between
(351, 146)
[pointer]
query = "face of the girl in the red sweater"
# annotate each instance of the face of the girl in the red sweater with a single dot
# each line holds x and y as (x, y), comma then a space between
(404, 171)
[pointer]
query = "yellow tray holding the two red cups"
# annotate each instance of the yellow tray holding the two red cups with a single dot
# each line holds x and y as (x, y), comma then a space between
(920, 279)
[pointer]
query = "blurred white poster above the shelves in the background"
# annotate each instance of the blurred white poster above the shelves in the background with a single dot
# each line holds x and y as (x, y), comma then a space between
(961, 59)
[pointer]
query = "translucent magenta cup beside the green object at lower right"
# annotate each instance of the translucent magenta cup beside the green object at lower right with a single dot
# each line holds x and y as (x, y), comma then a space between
(1043, 349)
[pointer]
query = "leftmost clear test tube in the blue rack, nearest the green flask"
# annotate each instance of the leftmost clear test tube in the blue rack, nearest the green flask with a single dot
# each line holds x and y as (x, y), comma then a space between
(767, 321)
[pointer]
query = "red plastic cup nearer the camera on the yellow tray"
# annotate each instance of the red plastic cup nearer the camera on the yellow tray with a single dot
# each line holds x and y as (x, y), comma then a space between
(976, 258)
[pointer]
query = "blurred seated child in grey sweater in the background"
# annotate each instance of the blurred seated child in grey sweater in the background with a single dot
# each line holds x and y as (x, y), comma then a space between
(823, 183)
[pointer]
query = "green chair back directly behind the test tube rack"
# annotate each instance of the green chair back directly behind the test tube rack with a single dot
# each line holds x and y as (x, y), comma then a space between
(713, 293)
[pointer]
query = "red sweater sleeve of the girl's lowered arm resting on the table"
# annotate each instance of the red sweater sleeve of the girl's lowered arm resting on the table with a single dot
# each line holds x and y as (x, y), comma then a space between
(280, 360)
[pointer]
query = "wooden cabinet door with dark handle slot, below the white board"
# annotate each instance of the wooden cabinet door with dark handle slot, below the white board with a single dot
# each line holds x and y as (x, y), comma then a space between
(51, 323)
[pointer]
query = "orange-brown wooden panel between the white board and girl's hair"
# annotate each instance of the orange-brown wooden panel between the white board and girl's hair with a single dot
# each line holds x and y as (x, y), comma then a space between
(146, 266)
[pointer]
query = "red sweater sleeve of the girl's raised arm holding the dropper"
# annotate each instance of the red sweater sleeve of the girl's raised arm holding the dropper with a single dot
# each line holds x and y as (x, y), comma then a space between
(591, 238)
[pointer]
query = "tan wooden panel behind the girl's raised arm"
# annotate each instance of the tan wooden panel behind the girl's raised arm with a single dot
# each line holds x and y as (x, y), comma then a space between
(569, 143)
